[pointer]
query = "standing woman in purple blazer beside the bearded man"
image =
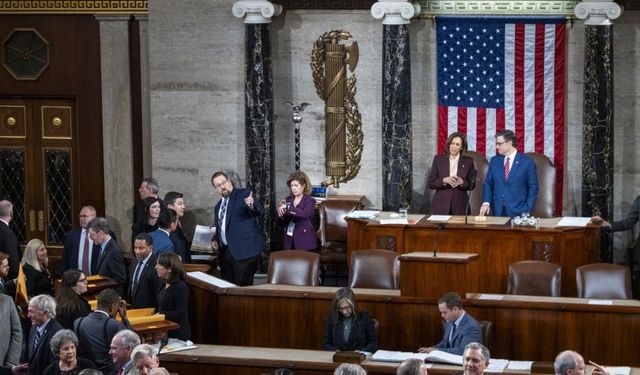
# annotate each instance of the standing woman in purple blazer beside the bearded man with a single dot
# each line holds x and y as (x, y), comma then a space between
(296, 212)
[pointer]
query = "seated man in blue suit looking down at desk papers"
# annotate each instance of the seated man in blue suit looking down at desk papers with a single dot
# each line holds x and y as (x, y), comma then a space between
(460, 328)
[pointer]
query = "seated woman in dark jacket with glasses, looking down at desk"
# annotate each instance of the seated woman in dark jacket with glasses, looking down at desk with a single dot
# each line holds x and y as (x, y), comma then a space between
(348, 328)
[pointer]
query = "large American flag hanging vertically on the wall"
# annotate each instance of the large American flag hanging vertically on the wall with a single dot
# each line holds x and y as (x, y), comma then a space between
(497, 73)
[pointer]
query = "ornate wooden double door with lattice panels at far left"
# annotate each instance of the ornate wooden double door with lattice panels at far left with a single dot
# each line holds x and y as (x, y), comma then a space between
(37, 166)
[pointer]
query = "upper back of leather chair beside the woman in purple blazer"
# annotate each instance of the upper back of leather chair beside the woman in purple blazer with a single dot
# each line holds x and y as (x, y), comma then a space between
(333, 227)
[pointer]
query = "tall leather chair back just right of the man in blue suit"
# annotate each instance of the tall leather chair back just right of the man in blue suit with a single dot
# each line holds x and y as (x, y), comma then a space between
(546, 171)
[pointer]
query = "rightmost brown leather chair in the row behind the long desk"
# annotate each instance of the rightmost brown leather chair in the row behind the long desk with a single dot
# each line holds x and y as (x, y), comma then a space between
(603, 280)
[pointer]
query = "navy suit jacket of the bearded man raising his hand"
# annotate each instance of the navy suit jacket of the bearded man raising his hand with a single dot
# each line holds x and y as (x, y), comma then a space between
(244, 237)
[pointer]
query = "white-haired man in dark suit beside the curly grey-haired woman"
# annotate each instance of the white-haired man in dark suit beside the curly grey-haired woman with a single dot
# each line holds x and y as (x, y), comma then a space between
(42, 311)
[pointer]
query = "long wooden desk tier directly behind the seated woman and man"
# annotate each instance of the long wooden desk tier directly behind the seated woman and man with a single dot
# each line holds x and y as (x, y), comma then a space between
(537, 328)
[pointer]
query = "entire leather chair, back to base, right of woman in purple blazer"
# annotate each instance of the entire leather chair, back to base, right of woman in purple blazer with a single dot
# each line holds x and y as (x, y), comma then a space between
(333, 235)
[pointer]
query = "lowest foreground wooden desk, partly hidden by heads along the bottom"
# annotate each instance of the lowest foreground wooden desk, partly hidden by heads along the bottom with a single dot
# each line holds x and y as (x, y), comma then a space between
(232, 360)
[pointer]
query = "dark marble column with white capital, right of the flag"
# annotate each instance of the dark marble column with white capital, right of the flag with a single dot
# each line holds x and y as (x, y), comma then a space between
(597, 137)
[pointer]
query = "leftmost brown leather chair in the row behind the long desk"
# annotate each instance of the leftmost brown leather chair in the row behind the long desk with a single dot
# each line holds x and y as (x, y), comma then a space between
(294, 267)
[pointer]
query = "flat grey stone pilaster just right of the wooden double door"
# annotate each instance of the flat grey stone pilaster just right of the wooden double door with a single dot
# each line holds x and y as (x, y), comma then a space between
(116, 124)
